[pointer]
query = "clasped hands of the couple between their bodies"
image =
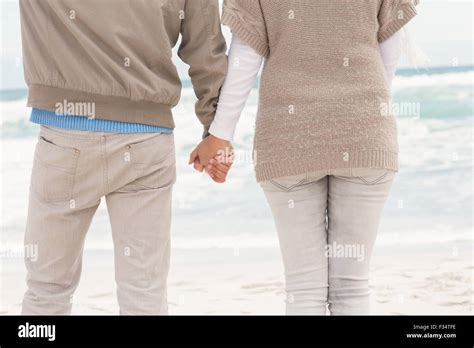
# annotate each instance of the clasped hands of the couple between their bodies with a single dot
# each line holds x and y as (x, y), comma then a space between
(213, 155)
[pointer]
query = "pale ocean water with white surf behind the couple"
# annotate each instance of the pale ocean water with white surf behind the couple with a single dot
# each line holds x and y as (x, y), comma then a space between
(431, 200)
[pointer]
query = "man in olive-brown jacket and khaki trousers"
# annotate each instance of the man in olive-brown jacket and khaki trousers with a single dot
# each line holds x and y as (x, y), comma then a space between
(102, 86)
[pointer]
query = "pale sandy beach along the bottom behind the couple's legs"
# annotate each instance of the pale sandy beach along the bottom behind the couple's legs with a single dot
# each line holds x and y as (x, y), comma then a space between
(421, 279)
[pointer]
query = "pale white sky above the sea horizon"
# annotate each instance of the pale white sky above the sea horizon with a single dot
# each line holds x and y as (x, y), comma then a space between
(443, 30)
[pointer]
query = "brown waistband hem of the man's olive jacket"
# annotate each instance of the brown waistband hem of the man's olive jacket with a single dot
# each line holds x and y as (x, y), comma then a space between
(106, 107)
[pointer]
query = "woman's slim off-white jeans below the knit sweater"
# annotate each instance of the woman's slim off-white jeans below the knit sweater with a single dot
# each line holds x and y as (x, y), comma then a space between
(327, 224)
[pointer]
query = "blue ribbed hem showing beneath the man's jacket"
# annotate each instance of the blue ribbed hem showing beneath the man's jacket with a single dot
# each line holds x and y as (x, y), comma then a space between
(49, 118)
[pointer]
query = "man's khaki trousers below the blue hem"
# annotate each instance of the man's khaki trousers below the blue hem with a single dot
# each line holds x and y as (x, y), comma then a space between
(72, 171)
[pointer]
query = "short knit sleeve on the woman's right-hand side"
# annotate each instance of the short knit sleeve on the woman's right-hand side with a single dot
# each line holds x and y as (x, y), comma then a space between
(394, 15)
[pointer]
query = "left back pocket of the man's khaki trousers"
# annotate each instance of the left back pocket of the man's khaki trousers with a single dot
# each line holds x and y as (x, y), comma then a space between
(54, 171)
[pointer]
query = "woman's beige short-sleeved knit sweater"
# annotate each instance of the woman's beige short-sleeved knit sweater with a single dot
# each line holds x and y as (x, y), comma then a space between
(322, 88)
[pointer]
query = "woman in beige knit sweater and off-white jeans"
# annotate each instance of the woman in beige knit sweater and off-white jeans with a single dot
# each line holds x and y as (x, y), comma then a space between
(326, 148)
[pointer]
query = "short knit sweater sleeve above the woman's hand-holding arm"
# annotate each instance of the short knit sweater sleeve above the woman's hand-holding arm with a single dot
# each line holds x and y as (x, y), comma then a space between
(246, 20)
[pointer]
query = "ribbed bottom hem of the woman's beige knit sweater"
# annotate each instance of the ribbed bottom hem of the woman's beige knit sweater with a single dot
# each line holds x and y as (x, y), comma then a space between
(309, 163)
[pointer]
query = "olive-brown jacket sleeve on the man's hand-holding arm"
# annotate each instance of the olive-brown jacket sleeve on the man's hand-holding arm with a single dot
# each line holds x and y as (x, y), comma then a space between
(203, 48)
